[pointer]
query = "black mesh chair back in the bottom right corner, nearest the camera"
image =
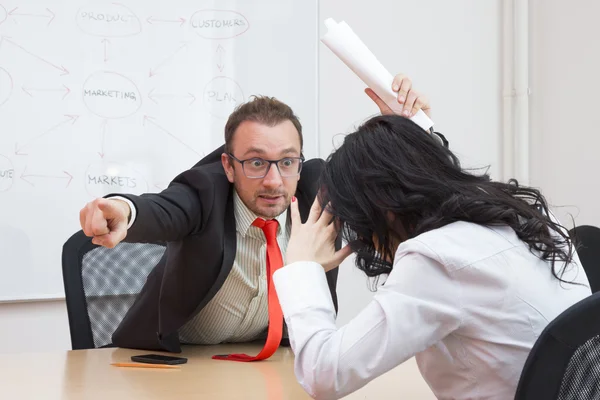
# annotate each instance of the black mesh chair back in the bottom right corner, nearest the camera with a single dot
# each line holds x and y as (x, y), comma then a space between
(564, 363)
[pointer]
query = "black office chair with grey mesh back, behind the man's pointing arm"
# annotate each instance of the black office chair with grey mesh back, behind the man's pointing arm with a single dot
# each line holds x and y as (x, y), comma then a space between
(101, 285)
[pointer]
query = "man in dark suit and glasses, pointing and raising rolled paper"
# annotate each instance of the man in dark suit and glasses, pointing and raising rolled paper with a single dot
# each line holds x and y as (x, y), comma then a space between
(211, 286)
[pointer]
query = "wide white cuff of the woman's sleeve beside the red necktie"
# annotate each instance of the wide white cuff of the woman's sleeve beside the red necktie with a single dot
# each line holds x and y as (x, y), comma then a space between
(302, 285)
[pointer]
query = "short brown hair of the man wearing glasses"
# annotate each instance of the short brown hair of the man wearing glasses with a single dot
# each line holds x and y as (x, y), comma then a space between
(264, 110)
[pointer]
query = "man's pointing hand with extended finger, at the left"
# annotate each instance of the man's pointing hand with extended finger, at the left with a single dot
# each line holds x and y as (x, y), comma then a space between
(105, 220)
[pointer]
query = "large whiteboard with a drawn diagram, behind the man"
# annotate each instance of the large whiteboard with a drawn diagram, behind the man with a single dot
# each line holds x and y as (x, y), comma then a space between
(119, 97)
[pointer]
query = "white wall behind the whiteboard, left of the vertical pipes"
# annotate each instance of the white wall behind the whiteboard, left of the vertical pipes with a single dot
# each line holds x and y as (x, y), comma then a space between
(450, 49)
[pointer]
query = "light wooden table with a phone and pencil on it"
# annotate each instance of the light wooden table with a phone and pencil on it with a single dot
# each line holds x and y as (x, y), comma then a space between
(87, 374)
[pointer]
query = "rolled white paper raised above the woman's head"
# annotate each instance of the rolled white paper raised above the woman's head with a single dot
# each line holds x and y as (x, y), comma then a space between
(345, 44)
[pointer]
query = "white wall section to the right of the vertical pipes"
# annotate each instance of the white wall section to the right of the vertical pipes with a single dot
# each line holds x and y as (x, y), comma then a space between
(564, 67)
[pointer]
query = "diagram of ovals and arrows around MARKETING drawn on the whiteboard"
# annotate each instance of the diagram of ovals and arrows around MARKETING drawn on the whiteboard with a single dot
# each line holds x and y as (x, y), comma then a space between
(111, 94)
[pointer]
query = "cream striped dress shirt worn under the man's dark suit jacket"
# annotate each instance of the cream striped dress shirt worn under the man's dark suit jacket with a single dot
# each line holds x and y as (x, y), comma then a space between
(239, 311)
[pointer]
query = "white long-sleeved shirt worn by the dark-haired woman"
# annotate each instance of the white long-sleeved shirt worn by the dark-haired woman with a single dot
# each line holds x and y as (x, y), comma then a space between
(468, 301)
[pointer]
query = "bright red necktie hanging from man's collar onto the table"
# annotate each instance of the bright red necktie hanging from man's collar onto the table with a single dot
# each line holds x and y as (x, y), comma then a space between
(274, 262)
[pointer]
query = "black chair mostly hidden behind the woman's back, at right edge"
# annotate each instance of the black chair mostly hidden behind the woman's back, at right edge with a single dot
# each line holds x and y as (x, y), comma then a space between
(587, 238)
